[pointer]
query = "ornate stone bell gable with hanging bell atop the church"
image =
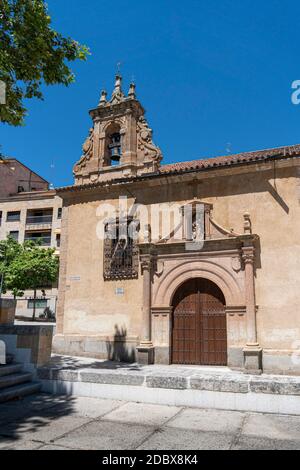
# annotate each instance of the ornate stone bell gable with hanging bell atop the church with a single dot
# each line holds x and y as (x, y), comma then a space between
(120, 142)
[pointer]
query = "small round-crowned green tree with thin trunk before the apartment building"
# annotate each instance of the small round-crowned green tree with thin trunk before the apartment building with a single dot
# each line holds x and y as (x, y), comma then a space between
(34, 268)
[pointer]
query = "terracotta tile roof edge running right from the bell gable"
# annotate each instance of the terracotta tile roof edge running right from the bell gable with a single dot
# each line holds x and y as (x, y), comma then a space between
(227, 160)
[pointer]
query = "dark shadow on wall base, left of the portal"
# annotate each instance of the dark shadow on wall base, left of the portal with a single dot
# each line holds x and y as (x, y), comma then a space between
(118, 349)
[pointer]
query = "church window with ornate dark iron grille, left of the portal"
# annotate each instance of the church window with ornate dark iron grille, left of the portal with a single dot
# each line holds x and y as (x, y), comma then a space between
(121, 250)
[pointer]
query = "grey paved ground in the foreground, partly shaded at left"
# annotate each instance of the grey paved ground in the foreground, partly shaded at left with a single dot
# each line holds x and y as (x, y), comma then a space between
(58, 423)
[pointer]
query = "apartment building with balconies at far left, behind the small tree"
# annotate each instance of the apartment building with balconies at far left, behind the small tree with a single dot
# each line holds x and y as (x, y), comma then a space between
(29, 210)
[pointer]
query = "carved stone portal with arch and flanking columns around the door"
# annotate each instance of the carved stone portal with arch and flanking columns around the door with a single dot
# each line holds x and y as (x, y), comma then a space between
(229, 263)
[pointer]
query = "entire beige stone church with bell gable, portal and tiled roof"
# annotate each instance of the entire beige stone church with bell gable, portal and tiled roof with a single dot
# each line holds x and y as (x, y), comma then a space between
(187, 263)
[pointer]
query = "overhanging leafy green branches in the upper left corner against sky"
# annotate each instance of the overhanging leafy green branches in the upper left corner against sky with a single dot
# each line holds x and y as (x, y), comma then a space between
(32, 53)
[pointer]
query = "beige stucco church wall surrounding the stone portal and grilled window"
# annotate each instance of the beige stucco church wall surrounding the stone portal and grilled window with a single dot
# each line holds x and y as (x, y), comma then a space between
(90, 306)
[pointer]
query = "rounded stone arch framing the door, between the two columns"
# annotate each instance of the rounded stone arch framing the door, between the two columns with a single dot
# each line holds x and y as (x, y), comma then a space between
(221, 271)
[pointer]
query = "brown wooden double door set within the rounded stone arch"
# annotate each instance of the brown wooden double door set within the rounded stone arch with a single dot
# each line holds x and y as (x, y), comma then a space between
(199, 334)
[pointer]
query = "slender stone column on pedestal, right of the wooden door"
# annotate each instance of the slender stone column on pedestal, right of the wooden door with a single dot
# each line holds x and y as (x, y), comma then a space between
(252, 351)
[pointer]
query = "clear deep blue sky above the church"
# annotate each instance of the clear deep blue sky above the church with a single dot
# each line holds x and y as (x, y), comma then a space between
(208, 73)
